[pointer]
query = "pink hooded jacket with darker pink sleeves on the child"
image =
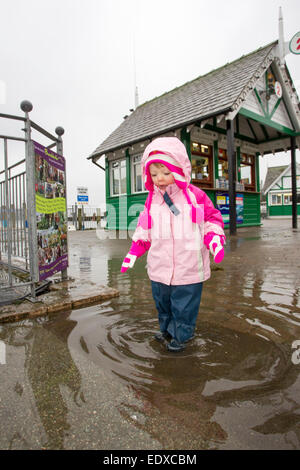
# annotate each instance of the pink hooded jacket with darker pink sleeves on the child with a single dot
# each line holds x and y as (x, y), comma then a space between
(177, 254)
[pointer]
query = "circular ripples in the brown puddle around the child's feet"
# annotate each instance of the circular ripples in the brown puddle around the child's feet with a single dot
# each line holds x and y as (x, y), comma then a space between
(217, 359)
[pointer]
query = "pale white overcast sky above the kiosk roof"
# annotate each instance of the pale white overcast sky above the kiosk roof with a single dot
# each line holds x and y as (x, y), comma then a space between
(74, 60)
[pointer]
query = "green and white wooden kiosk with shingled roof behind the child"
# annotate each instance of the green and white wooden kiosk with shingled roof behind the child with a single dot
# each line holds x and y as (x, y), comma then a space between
(226, 119)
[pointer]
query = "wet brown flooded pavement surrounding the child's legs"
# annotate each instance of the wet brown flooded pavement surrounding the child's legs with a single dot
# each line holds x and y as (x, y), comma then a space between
(95, 378)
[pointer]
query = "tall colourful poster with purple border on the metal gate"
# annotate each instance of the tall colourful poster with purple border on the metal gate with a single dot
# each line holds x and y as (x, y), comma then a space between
(51, 211)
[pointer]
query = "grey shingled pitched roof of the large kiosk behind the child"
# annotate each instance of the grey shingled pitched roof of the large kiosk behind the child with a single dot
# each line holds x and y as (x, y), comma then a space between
(206, 96)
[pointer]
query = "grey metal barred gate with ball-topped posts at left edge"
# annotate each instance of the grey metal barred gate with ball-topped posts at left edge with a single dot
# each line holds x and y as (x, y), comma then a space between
(18, 241)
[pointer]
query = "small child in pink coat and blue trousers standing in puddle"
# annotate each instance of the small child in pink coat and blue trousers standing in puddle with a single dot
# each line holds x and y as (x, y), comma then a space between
(178, 227)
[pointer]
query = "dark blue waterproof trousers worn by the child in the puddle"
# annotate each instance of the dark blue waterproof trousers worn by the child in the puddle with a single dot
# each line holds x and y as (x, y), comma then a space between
(178, 308)
